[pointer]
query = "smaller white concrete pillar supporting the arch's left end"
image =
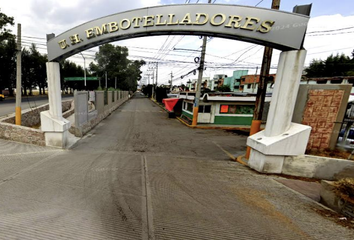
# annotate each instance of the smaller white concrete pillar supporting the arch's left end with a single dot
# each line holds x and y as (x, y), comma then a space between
(54, 126)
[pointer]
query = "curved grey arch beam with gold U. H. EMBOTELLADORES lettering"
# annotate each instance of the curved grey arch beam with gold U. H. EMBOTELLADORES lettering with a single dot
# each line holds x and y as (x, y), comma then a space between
(280, 30)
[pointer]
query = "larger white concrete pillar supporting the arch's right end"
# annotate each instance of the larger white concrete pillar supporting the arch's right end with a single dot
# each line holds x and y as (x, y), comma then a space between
(281, 137)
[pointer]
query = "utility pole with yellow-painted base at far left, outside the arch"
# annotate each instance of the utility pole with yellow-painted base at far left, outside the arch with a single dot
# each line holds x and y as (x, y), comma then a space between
(18, 77)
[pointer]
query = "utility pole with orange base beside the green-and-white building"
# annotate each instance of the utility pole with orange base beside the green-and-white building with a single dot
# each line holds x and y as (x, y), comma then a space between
(200, 77)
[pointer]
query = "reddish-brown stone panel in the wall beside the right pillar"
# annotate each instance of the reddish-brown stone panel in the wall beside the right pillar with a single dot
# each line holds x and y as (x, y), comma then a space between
(320, 113)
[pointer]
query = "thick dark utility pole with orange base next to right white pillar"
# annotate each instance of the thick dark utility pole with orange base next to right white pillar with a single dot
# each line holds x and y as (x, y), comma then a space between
(262, 87)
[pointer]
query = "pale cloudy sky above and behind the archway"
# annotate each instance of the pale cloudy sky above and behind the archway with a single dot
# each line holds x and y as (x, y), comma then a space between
(330, 31)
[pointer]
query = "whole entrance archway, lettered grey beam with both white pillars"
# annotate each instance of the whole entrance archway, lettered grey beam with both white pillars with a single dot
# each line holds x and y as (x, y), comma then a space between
(281, 30)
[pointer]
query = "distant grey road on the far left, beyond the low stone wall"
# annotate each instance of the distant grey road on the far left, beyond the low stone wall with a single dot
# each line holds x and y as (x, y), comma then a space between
(8, 106)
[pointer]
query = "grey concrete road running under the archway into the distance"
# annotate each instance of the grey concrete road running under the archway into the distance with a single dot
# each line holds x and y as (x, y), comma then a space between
(140, 175)
